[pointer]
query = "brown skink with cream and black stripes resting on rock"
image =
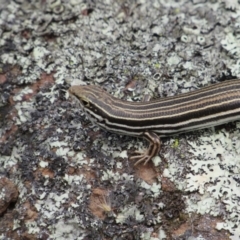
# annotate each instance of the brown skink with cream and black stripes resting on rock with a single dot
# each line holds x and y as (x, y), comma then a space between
(209, 106)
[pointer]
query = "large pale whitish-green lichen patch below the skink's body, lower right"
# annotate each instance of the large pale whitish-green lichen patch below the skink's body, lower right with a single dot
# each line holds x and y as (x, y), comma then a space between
(214, 167)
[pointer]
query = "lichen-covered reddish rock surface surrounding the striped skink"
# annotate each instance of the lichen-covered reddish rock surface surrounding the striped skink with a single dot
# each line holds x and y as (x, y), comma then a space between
(66, 178)
